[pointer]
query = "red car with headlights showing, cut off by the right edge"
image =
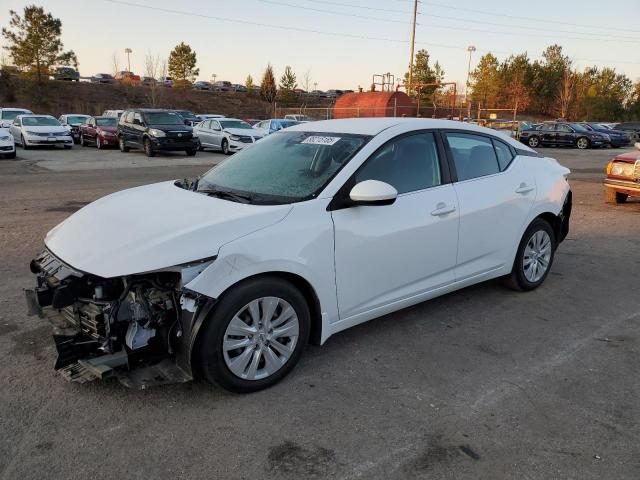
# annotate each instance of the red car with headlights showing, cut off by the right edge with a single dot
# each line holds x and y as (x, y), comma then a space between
(623, 177)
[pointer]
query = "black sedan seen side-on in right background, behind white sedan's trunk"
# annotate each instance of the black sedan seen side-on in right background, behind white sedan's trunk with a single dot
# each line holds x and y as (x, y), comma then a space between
(563, 134)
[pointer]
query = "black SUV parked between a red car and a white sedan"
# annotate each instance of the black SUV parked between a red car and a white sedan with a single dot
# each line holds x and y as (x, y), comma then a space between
(154, 131)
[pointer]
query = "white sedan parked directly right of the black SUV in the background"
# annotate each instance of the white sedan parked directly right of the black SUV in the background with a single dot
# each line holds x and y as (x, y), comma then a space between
(227, 134)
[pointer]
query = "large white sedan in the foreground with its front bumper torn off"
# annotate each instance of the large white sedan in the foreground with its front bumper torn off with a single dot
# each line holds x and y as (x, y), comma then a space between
(313, 230)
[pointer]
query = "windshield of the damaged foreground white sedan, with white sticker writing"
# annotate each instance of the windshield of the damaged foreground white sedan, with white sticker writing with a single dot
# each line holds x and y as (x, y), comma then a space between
(285, 167)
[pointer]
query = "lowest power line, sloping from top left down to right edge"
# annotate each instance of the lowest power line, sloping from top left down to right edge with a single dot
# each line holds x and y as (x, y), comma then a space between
(318, 32)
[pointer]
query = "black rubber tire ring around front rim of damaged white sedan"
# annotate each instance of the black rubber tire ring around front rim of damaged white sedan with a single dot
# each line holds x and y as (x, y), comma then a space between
(210, 354)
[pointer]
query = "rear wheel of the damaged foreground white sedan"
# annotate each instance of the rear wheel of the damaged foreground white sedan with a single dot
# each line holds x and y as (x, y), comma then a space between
(534, 257)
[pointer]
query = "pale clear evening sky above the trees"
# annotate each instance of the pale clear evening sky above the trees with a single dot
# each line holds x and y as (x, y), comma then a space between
(340, 43)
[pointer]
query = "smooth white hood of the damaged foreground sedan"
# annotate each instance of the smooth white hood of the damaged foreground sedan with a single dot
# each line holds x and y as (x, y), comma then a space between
(153, 227)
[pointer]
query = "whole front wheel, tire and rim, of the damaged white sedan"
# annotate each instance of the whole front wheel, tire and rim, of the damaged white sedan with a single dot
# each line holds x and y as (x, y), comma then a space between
(255, 336)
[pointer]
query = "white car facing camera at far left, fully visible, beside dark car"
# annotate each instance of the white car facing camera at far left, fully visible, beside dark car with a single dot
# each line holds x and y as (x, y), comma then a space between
(38, 130)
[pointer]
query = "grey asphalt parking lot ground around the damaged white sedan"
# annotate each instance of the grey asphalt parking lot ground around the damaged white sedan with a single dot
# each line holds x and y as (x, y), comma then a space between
(484, 383)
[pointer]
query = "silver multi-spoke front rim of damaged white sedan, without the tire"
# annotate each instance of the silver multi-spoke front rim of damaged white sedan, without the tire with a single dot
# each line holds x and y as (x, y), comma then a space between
(260, 338)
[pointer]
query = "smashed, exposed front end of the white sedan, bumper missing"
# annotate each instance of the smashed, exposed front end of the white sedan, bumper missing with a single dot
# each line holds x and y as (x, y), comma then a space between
(131, 327)
